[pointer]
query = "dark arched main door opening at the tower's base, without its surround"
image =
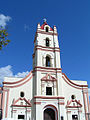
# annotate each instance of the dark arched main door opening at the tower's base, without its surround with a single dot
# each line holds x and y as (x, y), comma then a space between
(49, 114)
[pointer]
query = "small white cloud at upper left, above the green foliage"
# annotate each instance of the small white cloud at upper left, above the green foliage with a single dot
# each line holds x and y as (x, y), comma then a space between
(3, 20)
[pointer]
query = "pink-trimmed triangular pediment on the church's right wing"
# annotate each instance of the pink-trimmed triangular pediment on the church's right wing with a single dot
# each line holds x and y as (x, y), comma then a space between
(74, 104)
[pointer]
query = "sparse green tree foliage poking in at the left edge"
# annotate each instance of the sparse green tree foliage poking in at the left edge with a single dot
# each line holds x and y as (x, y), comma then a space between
(3, 38)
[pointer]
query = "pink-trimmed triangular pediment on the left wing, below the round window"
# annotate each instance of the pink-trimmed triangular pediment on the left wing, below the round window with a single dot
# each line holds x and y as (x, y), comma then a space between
(21, 102)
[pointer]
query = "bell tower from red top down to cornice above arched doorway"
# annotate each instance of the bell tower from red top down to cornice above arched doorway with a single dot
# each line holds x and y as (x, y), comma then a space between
(46, 61)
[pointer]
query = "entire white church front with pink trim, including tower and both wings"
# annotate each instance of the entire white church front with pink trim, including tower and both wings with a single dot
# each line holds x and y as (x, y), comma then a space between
(45, 93)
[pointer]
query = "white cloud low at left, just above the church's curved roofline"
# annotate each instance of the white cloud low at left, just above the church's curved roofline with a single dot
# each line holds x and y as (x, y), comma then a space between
(7, 72)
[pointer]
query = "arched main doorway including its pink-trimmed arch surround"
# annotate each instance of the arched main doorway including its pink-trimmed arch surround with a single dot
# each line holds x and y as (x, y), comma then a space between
(50, 113)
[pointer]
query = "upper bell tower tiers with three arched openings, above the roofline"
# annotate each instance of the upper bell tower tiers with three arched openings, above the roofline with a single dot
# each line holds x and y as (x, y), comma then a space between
(46, 41)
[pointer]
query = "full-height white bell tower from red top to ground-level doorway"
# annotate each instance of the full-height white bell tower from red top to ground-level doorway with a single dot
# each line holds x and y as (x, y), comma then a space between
(47, 73)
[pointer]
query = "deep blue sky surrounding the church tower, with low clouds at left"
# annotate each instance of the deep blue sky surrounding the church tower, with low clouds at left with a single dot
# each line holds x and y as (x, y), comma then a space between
(72, 18)
